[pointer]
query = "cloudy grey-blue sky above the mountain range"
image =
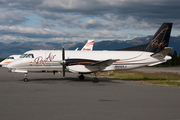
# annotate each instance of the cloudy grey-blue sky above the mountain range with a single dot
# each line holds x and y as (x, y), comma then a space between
(80, 20)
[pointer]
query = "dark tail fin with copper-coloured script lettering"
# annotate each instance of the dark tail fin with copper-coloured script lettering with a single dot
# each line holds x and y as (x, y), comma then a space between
(160, 38)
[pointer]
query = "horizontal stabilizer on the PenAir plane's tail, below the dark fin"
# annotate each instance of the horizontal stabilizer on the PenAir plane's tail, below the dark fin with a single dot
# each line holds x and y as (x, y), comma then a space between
(162, 53)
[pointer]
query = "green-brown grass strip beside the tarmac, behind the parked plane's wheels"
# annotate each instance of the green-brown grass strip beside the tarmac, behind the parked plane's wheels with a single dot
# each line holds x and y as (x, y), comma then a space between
(159, 78)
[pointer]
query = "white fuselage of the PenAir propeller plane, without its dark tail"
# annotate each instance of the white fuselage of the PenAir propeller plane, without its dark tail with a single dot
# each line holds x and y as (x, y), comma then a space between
(48, 60)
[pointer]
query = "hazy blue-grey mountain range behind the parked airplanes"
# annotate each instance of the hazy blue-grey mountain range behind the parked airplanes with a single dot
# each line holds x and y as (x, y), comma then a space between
(20, 48)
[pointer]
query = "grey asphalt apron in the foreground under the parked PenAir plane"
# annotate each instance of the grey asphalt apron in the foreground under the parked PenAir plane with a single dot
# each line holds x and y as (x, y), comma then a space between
(49, 97)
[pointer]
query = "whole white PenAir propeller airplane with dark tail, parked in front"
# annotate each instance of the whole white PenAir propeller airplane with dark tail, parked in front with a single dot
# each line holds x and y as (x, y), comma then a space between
(85, 62)
